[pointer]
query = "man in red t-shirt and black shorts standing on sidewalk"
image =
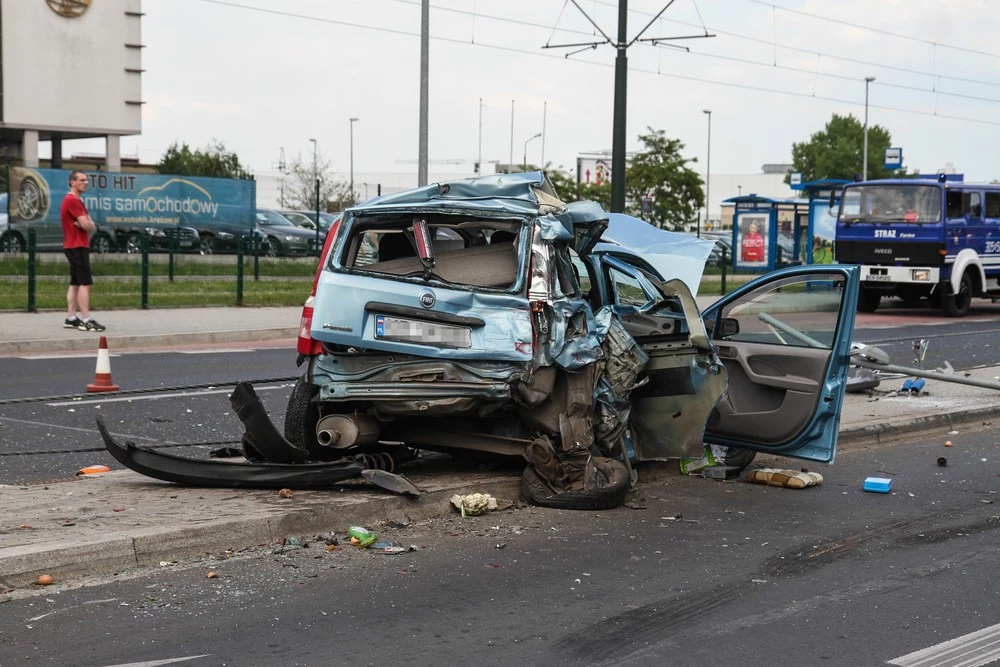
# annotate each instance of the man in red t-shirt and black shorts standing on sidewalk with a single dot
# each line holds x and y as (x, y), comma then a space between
(77, 226)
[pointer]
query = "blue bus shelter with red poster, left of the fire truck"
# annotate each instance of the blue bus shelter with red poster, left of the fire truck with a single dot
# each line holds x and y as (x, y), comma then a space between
(769, 232)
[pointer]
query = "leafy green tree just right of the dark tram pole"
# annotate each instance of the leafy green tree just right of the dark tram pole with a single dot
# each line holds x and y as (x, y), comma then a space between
(660, 175)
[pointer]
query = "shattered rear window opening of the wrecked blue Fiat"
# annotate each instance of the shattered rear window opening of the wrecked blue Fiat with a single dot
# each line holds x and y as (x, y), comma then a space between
(467, 252)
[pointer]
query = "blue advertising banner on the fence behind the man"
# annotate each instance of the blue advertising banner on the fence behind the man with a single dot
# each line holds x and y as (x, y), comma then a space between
(134, 199)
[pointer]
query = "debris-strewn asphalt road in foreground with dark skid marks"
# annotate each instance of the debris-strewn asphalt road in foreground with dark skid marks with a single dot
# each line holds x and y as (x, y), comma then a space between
(693, 572)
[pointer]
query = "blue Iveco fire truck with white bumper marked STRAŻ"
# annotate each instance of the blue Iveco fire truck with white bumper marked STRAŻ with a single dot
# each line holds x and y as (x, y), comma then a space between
(921, 238)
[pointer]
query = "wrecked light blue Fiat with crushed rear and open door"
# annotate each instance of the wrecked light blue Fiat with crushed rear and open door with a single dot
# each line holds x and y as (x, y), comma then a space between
(487, 316)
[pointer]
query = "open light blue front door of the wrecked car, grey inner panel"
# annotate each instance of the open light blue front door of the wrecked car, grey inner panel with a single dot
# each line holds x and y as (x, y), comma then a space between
(784, 339)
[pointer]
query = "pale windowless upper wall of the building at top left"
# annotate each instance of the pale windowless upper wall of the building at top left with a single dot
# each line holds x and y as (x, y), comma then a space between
(76, 74)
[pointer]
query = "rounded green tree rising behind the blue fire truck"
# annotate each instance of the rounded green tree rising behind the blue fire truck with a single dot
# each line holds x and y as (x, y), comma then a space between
(837, 151)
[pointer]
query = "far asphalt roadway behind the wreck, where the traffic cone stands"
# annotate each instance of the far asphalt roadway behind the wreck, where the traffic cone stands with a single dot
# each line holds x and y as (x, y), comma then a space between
(202, 414)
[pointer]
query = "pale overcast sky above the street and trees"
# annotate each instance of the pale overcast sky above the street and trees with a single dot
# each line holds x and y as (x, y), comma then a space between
(263, 80)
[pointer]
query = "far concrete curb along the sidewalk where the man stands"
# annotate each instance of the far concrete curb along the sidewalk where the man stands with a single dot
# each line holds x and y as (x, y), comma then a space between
(87, 342)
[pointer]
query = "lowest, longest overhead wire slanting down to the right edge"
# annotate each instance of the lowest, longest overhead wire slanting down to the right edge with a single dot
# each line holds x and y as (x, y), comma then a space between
(537, 54)
